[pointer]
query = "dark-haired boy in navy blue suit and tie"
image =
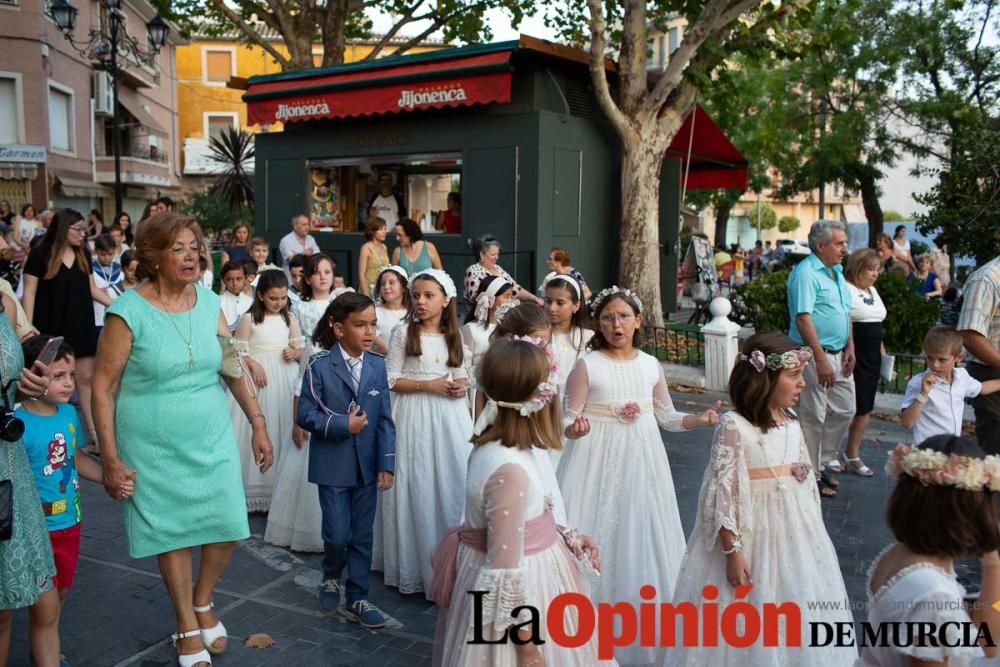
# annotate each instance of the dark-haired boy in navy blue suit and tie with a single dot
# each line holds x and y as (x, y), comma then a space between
(345, 406)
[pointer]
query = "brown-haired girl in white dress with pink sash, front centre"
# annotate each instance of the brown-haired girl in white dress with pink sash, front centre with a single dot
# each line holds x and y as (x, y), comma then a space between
(510, 545)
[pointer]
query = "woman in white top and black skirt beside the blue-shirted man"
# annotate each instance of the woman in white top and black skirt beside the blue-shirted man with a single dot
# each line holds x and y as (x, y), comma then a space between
(867, 314)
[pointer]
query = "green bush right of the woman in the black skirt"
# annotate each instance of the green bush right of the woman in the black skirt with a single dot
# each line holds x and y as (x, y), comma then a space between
(909, 316)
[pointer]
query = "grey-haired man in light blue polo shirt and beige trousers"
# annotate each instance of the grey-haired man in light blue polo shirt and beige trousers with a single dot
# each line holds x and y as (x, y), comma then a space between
(819, 307)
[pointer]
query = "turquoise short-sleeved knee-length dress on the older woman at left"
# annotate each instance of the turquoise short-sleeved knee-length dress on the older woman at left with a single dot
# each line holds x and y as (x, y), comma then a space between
(173, 428)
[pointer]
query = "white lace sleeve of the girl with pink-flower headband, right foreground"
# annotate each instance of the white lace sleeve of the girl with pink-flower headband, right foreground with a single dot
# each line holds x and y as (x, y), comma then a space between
(725, 494)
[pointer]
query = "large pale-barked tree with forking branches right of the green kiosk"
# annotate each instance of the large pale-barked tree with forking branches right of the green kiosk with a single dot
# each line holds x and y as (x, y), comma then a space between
(647, 114)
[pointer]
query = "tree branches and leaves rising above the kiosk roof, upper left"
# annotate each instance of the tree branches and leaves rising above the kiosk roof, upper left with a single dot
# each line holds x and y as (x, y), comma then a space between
(301, 23)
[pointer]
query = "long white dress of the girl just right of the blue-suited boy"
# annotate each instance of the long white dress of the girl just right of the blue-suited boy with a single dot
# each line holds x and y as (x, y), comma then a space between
(432, 451)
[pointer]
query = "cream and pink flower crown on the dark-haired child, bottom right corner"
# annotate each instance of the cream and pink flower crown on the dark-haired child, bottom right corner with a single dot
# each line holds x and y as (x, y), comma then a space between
(933, 468)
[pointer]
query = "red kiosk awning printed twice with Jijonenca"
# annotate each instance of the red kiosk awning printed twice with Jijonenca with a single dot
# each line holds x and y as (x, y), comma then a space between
(344, 91)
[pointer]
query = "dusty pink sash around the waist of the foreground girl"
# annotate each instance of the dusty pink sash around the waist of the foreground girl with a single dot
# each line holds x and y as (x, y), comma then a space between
(540, 533)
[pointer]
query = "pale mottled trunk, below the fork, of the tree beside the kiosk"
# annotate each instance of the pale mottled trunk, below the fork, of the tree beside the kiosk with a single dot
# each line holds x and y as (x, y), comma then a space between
(639, 268)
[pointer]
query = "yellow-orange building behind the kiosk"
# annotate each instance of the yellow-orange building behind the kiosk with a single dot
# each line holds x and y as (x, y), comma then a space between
(206, 106)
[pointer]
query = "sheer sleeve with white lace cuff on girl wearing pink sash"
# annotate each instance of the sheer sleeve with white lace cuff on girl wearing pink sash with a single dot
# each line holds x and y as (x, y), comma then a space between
(504, 576)
